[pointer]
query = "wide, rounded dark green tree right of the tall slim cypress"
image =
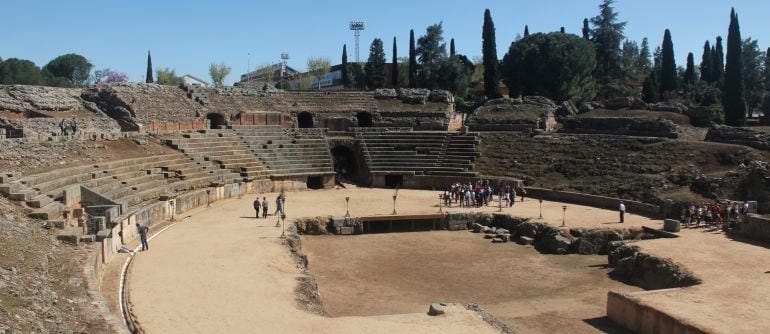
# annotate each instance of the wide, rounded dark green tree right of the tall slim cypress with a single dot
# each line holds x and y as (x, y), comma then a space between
(555, 65)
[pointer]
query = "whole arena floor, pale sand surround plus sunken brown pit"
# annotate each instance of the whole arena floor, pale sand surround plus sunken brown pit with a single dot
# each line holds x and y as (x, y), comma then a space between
(221, 270)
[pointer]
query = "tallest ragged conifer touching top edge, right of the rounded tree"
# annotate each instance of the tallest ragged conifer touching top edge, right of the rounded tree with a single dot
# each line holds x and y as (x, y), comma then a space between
(607, 35)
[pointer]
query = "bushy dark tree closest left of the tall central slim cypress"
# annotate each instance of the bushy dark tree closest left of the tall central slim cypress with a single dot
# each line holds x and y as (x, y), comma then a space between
(431, 51)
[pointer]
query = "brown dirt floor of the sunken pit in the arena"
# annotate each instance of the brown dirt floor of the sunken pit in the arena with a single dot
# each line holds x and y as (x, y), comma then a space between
(530, 292)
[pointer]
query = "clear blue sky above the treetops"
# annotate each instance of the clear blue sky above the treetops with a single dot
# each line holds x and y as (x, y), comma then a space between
(189, 35)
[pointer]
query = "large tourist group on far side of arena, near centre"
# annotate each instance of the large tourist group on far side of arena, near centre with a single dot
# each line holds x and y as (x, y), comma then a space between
(480, 194)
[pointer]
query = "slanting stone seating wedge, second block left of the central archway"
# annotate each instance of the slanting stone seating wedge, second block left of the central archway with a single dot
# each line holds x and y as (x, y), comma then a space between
(223, 148)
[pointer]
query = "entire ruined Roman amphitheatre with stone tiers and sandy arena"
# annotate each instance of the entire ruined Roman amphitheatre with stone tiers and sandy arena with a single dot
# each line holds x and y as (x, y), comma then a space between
(366, 242)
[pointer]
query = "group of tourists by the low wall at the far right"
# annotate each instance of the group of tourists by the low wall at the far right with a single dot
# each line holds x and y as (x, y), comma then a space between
(725, 214)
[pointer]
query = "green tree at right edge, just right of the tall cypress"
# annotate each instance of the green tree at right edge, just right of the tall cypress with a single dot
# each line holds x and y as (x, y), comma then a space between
(753, 68)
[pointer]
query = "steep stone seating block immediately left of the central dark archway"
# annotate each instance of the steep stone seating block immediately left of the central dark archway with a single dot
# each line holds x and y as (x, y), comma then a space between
(302, 152)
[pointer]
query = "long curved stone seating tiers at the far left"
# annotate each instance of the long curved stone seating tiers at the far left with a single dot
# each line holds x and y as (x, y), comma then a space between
(131, 182)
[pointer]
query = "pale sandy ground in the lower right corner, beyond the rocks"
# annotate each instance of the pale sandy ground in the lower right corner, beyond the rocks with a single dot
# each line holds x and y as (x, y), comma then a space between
(736, 282)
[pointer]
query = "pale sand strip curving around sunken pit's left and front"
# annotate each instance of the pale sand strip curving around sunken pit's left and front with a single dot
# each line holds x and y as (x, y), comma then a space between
(223, 271)
